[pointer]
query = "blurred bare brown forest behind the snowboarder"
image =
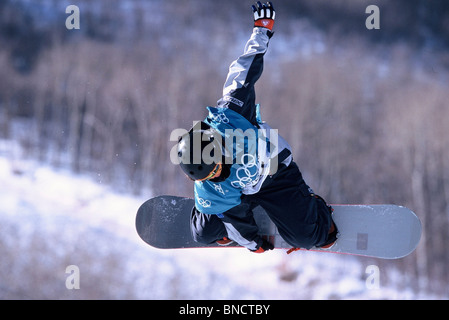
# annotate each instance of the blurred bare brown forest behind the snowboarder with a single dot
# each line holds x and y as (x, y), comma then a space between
(366, 111)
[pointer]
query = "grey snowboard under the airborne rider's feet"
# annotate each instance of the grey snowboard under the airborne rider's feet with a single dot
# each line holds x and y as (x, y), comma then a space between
(380, 231)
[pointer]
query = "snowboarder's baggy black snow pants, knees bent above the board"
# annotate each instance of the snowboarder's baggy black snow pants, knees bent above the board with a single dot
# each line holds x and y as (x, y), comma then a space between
(302, 219)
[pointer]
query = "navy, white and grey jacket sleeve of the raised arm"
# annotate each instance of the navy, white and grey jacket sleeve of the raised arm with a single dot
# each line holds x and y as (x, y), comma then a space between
(238, 90)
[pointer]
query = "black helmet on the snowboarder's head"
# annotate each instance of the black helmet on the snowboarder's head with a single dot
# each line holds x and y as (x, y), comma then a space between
(199, 151)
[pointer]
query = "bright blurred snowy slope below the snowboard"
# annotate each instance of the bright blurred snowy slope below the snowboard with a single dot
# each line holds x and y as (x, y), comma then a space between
(51, 219)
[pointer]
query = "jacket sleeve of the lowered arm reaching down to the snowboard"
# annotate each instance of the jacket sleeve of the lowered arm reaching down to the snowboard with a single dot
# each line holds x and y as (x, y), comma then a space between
(241, 226)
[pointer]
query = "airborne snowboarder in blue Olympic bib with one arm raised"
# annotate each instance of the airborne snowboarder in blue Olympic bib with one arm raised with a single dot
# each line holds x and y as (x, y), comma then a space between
(232, 178)
